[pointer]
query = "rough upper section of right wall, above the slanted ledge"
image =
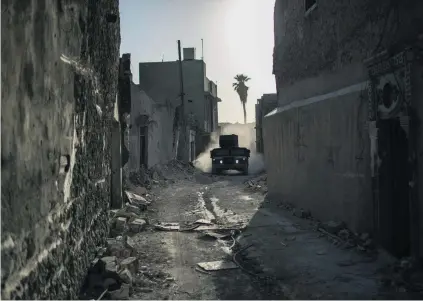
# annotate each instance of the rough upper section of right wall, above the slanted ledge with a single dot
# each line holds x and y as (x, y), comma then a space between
(337, 33)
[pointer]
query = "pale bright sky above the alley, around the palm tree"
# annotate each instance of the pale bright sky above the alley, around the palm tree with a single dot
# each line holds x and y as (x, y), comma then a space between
(237, 37)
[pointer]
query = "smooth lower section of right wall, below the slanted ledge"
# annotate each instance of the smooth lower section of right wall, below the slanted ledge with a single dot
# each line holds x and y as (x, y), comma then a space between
(320, 160)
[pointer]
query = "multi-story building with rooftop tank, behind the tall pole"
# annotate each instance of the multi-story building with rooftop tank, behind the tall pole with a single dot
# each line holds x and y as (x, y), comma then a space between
(161, 81)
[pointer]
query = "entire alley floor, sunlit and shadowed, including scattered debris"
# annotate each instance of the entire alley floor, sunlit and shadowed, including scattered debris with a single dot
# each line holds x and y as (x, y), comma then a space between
(262, 251)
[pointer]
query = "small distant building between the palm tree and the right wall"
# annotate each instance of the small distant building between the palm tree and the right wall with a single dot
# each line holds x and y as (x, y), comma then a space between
(264, 105)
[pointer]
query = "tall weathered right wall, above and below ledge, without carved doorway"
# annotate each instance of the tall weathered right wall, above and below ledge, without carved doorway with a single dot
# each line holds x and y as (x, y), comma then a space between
(318, 158)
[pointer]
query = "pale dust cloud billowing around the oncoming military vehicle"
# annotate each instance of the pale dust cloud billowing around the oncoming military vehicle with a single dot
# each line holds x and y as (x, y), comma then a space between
(246, 137)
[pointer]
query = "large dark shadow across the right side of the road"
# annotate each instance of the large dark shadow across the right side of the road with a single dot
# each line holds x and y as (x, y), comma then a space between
(287, 259)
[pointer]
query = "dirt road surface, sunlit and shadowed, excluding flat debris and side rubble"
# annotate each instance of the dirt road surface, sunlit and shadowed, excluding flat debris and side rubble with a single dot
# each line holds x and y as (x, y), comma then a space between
(282, 257)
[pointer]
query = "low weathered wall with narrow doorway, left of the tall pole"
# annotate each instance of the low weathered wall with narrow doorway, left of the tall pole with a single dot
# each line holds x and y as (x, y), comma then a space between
(160, 129)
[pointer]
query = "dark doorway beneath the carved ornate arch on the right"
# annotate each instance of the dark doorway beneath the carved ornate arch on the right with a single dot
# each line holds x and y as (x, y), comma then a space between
(393, 220)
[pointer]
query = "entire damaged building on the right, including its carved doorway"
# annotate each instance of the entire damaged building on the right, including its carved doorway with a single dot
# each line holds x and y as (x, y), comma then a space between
(346, 138)
